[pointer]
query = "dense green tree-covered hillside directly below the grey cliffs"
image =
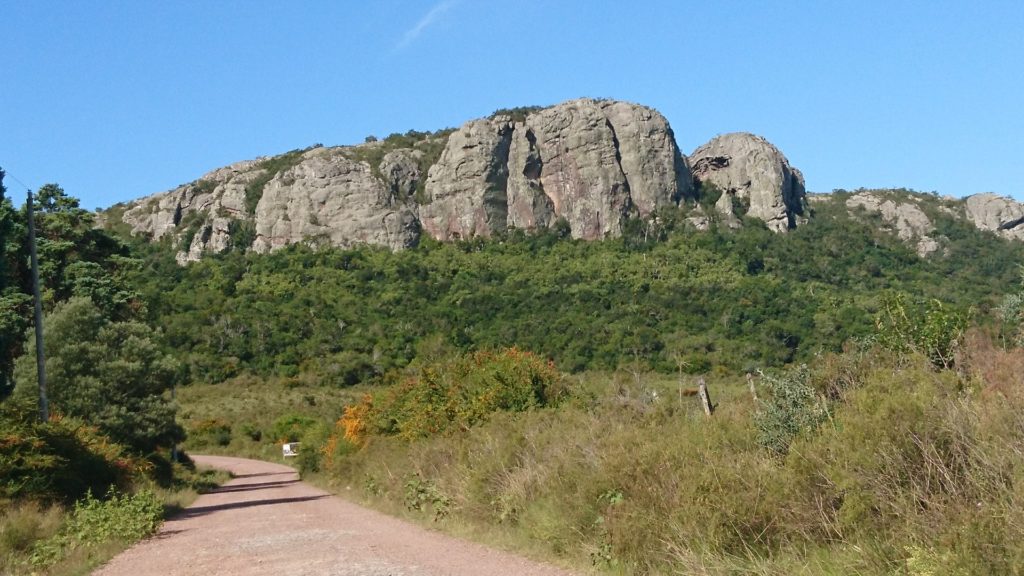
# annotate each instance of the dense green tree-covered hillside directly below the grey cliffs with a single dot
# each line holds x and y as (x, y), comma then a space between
(662, 297)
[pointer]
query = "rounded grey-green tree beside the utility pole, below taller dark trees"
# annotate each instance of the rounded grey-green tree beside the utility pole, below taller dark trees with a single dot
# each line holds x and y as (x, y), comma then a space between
(109, 374)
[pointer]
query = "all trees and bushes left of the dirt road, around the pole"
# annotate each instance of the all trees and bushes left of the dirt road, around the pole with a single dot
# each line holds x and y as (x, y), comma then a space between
(98, 475)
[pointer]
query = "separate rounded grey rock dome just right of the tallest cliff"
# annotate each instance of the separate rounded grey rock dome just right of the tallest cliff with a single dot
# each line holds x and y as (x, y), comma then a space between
(749, 169)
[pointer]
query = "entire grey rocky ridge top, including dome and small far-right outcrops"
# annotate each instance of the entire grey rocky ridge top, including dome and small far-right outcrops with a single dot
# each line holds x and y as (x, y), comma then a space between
(591, 164)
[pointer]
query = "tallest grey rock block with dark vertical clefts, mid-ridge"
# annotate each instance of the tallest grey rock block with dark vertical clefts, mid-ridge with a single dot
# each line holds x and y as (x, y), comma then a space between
(590, 162)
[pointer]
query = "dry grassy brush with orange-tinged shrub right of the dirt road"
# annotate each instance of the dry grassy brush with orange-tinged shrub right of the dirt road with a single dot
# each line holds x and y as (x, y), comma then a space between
(891, 466)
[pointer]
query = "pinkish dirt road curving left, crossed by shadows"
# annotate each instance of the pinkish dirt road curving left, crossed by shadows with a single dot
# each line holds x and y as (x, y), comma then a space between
(265, 521)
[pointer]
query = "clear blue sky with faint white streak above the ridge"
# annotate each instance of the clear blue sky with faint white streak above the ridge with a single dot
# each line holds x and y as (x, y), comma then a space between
(117, 100)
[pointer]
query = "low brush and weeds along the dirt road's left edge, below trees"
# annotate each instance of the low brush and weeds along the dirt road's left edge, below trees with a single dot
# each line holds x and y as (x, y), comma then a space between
(71, 499)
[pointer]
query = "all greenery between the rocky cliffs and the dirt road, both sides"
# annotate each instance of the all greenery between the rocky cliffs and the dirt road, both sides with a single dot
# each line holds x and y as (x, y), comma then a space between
(538, 389)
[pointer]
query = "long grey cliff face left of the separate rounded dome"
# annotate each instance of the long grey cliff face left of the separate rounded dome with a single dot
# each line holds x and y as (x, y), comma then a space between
(592, 163)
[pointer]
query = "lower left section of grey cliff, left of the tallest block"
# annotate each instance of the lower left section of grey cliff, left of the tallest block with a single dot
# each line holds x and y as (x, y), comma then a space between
(326, 197)
